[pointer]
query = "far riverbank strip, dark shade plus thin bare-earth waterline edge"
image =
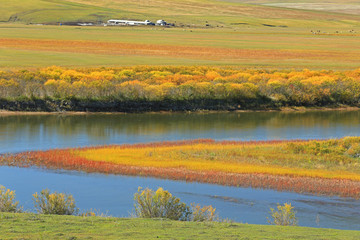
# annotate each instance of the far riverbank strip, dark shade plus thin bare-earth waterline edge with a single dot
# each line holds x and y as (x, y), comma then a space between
(78, 107)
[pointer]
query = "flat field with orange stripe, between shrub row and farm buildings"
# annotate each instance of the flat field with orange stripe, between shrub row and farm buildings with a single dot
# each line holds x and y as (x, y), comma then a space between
(247, 46)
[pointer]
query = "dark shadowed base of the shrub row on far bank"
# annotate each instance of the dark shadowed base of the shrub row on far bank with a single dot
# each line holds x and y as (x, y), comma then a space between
(131, 106)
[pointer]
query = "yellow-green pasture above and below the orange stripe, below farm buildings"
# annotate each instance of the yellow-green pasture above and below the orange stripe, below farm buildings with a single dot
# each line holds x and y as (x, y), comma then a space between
(343, 46)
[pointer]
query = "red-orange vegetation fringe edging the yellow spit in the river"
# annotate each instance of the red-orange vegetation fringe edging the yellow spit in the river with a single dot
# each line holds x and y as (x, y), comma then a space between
(64, 159)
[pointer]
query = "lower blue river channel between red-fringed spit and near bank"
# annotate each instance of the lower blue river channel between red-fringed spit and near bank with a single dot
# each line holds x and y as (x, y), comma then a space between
(114, 194)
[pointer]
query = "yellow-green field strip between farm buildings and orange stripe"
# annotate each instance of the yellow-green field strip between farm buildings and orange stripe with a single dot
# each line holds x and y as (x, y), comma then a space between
(241, 38)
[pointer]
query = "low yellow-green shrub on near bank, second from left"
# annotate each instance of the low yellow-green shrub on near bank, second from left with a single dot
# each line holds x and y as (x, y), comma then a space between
(54, 203)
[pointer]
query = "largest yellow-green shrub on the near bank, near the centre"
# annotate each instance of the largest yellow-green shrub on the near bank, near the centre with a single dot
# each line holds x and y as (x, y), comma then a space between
(160, 204)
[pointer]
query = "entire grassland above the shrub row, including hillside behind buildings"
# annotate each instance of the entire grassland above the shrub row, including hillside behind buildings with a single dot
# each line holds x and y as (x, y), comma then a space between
(241, 34)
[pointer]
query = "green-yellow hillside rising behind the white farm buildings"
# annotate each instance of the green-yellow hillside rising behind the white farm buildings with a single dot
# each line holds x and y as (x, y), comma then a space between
(187, 12)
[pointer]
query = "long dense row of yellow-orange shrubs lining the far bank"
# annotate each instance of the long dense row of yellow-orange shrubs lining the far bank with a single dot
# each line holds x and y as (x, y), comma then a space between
(156, 83)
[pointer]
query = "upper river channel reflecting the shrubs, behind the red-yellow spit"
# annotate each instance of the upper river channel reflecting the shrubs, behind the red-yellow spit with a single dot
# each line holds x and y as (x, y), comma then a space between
(32, 132)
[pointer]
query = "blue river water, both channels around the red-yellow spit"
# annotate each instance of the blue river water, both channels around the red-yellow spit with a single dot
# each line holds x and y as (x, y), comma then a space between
(114, 194)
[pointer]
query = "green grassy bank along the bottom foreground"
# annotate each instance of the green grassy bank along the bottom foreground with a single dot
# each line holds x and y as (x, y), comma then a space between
(33, 226)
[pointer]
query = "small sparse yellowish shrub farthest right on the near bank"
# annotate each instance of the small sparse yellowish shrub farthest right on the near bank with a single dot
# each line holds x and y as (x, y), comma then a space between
(284, 215)
